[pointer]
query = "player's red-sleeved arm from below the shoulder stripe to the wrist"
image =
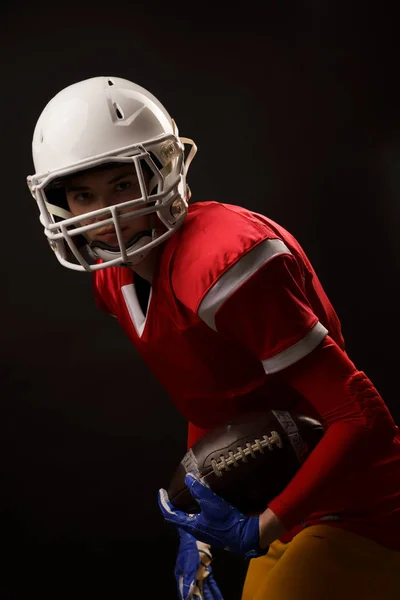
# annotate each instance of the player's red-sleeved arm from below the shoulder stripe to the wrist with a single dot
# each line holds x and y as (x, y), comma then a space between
(271, 315)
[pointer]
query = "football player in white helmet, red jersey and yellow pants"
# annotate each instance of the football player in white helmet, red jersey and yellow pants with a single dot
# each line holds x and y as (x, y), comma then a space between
(228, 312)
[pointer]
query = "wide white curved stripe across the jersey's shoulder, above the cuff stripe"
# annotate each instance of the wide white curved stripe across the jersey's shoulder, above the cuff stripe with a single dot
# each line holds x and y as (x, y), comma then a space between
(234, 277)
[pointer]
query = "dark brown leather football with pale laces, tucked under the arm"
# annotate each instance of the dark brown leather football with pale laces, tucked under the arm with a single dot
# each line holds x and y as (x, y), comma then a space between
(247, 461)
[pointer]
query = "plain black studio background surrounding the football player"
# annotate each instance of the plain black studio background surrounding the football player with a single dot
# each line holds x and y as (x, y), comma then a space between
(294, 108)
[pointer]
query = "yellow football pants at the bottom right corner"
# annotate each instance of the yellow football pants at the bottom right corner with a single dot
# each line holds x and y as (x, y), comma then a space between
(324, 563)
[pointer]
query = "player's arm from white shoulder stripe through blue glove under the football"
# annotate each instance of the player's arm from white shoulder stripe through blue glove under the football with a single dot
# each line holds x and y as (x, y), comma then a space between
(265, 303)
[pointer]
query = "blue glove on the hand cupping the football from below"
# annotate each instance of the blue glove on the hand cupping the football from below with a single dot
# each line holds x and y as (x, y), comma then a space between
(218, 523)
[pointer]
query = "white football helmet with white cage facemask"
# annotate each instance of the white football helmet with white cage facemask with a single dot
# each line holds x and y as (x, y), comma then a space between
(102, 121)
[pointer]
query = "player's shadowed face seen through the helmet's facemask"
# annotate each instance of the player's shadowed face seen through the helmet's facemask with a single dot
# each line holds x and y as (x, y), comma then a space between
(98, 189)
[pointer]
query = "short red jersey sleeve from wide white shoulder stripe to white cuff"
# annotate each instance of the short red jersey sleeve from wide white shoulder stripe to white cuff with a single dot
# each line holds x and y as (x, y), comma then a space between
(261, 302)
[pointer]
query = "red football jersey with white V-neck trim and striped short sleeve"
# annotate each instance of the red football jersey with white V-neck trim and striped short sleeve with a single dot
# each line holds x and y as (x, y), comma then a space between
(216, 251)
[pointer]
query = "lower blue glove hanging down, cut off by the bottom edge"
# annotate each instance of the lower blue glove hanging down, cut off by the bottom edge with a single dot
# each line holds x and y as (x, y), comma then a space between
(193, 573)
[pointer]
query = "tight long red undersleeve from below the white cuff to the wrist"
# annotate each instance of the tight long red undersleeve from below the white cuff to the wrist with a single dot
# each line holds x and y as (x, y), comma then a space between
(359, 430)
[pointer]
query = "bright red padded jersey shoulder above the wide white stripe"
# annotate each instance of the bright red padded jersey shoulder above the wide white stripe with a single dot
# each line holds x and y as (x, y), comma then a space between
(218, 238)
